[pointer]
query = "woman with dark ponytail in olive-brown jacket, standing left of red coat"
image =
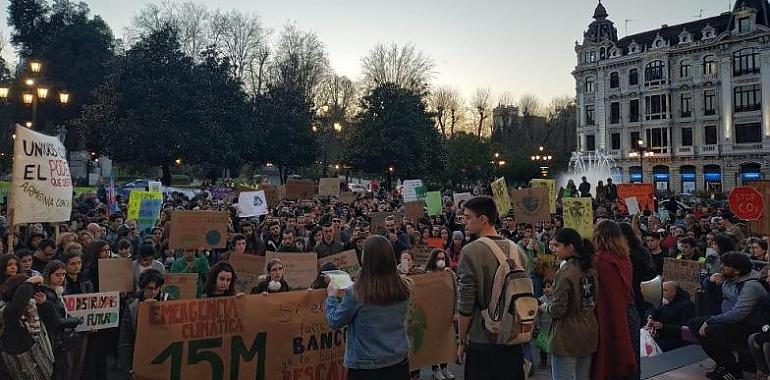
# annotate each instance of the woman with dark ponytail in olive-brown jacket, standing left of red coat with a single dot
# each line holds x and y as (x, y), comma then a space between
(574, 331)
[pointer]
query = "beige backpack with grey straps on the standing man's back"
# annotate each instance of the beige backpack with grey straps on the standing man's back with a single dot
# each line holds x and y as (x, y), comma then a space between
(510, 317)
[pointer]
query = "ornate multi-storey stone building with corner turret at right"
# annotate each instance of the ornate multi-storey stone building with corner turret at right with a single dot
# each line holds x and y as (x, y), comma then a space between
(696, 96)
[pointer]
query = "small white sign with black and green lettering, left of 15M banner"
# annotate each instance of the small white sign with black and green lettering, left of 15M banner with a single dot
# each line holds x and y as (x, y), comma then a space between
(97, 311)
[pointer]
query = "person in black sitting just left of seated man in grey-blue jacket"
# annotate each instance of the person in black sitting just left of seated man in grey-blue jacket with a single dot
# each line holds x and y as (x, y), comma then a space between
(667, 321)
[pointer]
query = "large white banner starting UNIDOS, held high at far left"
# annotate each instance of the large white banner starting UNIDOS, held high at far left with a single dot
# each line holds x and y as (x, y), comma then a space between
(41, 186)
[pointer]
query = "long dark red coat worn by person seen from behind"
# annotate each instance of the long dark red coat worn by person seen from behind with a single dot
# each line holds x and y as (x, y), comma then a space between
(616, 356)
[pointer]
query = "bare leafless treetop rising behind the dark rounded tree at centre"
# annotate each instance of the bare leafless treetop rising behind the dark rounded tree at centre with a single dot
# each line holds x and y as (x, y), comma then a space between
(403, 66)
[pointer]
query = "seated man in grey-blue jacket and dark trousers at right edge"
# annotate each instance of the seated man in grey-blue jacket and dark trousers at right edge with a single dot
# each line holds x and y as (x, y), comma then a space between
(744, 312)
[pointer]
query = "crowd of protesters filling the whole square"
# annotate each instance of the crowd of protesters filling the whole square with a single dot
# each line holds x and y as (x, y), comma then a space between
(591, 304)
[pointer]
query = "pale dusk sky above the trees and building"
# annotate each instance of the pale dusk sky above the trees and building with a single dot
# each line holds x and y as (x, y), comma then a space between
(514, 46)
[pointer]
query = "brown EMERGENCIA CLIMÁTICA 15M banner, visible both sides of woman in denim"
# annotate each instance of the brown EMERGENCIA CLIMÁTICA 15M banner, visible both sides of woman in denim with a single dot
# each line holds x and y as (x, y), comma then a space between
(283, 336)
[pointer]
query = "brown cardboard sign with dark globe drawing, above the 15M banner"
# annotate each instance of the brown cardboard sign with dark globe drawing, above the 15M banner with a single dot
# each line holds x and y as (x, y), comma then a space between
(198, 229)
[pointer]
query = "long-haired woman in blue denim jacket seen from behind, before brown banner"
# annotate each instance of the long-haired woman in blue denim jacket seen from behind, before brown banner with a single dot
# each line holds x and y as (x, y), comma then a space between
(374, 310)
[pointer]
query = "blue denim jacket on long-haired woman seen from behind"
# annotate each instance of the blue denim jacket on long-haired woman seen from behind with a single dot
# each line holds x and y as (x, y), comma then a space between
(376, 335)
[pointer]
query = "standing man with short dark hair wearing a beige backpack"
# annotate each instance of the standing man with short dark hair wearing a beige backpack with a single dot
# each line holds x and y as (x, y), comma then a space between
(495, 299)
